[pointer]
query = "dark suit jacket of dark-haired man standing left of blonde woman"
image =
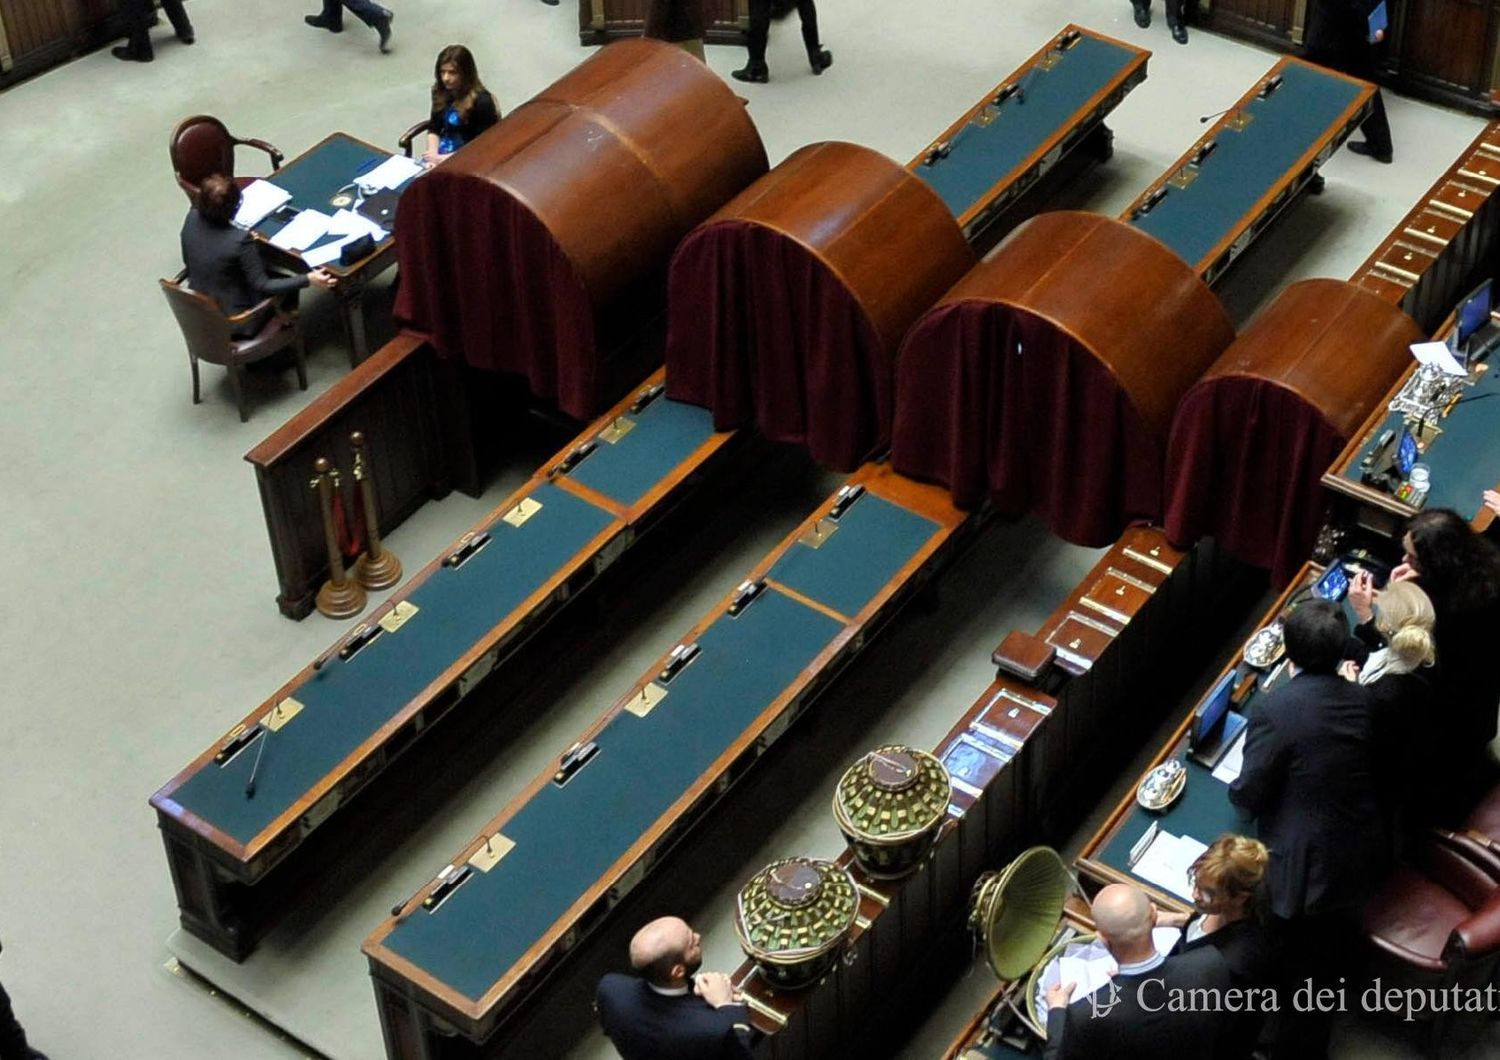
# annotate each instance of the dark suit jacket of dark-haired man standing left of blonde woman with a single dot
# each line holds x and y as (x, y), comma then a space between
(1310, 783)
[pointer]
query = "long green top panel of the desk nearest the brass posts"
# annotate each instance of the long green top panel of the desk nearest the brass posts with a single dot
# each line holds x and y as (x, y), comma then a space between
(346, 702)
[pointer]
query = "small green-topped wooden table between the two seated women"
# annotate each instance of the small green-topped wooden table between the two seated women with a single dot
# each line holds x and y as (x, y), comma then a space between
(316, 178)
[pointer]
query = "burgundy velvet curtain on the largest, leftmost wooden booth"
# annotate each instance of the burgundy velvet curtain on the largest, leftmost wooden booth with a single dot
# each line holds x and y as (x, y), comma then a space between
(485, 283)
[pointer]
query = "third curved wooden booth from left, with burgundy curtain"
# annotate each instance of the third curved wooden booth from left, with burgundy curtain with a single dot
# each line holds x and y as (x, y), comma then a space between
(1048, 379)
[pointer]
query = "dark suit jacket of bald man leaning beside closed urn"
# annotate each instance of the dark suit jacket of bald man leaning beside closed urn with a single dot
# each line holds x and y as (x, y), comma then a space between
(650, 1026)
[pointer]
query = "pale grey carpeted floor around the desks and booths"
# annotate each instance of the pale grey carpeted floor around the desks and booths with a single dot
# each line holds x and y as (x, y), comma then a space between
(140, 617)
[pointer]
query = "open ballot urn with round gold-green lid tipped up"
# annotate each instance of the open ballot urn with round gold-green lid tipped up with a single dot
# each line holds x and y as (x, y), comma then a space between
(1018, 917)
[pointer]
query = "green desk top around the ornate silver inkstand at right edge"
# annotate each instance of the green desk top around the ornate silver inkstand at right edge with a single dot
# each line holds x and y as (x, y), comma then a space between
(1466, 457)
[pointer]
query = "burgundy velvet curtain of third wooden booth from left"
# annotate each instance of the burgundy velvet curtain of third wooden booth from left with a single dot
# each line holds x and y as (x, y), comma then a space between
(997, 403)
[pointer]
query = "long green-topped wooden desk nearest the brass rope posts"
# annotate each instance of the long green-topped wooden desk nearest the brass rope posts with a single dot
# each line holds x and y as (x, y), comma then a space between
(335, 728)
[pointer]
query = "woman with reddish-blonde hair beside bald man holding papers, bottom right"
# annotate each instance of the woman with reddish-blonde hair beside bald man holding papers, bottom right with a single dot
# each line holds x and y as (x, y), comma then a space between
(1228, 894)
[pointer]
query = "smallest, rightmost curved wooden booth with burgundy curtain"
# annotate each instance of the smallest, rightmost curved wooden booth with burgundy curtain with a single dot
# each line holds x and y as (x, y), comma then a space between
(1256, 434)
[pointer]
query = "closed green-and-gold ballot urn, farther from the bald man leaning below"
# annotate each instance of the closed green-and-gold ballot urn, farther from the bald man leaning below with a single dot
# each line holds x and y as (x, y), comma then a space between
(889, 806)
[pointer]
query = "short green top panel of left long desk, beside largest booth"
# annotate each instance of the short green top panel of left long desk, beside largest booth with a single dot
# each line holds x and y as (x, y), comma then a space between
(664, 436)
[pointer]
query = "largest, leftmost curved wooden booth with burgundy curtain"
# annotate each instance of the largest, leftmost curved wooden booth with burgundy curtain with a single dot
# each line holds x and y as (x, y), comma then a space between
(514, 250)
